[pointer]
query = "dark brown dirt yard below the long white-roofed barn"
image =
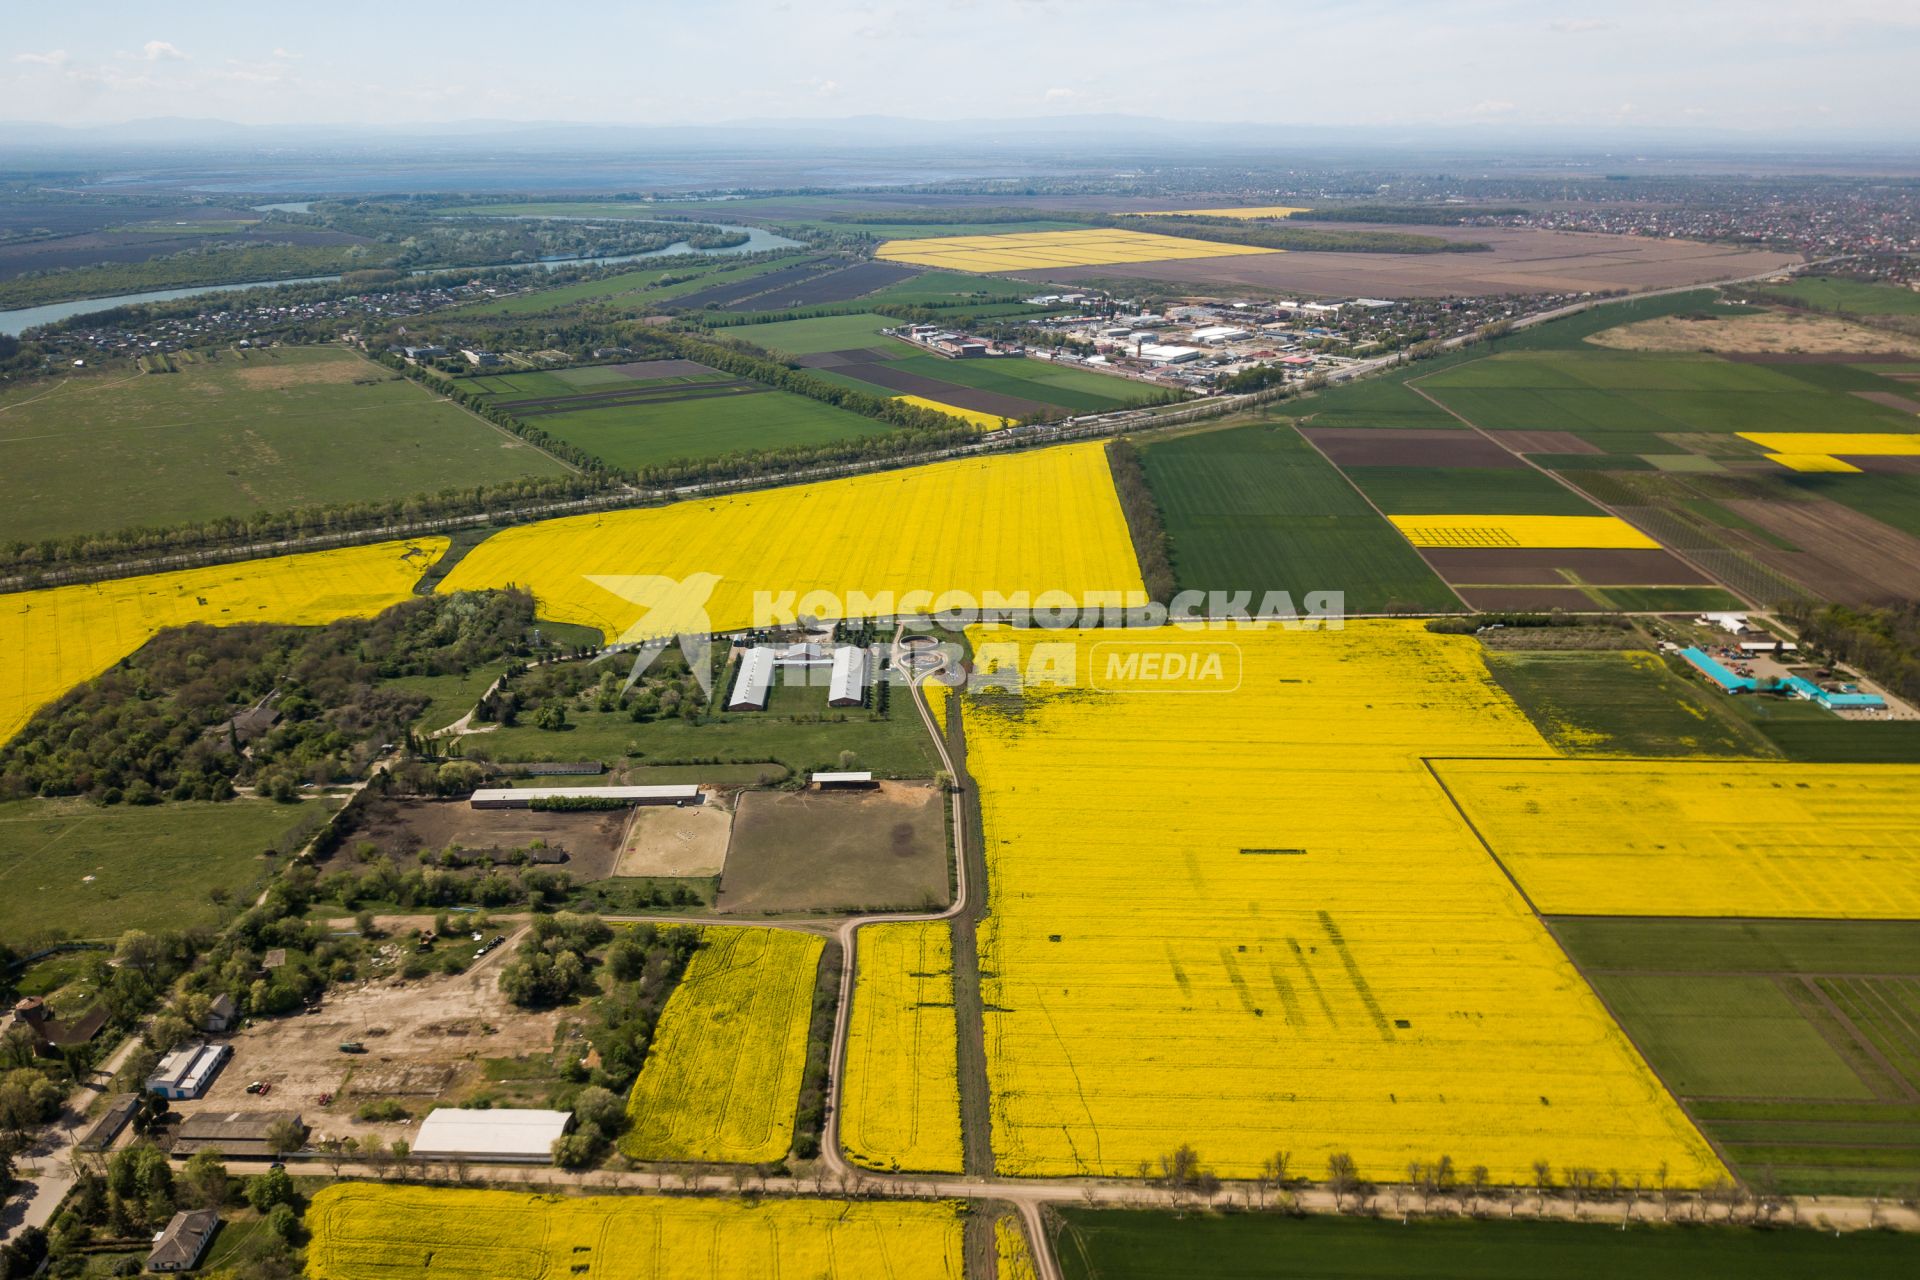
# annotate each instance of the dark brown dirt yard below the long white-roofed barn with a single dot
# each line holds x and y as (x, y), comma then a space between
(404, 828)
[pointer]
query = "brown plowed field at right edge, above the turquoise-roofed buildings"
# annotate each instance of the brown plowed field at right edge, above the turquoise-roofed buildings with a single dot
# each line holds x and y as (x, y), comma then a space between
(1842, 554)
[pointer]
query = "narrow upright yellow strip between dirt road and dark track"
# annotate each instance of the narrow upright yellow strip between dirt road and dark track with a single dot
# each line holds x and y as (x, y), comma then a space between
(901, 1097)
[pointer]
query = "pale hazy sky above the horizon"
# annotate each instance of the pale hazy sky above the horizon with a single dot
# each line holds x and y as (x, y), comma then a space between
(1760, 66)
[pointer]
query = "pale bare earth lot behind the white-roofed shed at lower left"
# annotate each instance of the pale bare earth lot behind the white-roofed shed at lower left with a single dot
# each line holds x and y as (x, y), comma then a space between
(423, 1039)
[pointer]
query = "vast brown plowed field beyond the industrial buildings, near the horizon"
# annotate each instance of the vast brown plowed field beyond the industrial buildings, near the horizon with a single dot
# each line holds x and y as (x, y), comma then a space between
(1520, 262)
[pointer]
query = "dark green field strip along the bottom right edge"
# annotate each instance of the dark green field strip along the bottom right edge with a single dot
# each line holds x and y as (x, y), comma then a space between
(1126, 1244)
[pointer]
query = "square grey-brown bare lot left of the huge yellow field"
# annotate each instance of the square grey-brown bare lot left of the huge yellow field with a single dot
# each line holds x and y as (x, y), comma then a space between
(815, 851)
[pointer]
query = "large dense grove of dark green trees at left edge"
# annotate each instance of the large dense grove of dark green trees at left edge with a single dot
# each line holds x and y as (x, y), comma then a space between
(185, 719)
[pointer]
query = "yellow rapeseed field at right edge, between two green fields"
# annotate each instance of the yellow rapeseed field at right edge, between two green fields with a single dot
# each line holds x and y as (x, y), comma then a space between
(1679, 838)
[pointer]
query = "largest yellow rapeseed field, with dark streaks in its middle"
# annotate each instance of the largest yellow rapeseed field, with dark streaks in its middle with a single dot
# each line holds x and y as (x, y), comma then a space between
(1259, 924)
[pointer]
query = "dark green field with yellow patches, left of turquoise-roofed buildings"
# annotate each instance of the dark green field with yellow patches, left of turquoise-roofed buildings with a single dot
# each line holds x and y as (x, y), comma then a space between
(1621, 703)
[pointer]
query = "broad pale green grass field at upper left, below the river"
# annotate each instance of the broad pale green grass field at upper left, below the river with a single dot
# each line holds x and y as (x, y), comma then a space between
(235, 437)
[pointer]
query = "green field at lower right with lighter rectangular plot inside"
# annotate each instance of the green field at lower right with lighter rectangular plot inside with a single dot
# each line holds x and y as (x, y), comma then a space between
(1792, 1043)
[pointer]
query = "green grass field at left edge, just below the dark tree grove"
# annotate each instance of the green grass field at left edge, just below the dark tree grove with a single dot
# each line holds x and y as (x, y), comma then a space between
(97, 872)
